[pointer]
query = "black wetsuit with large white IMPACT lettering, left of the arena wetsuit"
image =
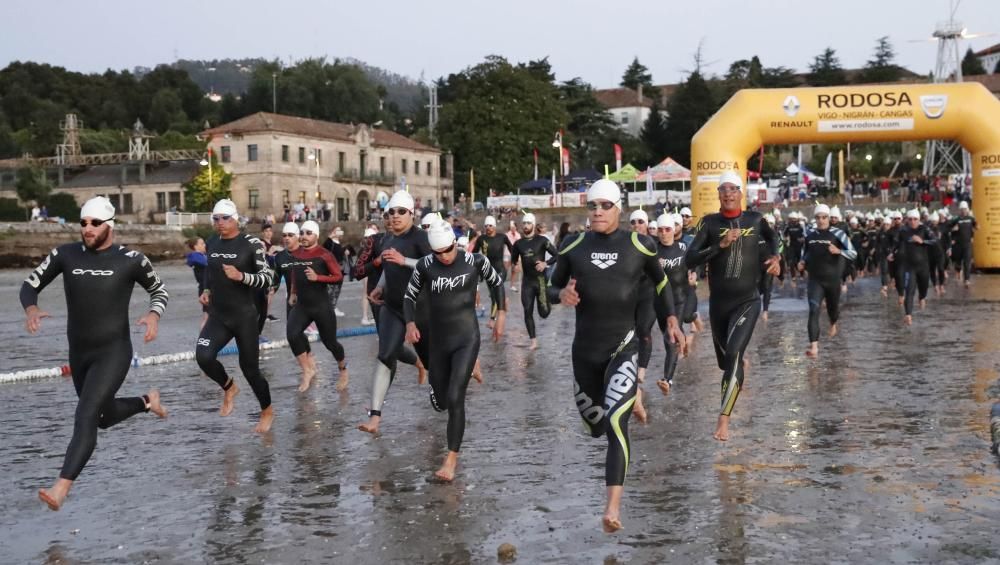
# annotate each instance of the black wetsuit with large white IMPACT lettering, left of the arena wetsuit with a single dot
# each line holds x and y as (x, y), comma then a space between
(454, 330)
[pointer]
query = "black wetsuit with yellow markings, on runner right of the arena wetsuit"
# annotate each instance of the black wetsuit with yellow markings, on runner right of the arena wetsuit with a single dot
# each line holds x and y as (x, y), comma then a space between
(733, 278)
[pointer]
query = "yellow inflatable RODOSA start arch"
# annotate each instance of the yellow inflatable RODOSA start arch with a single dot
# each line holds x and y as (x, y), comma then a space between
(964, 112)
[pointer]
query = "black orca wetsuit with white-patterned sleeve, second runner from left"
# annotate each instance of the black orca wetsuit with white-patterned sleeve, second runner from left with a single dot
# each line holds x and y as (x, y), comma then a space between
(232, 311)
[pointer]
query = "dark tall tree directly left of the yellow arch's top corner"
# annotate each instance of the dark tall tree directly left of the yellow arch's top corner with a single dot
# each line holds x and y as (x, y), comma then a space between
(688, 109)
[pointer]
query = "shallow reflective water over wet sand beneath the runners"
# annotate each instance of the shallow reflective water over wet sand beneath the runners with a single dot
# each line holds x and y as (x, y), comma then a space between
(876, 452)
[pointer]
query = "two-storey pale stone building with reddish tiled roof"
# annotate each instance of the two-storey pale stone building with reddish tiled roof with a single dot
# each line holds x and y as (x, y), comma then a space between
(279, 161)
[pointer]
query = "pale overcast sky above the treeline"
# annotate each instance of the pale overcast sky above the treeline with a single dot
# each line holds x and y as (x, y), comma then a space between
(591, 39)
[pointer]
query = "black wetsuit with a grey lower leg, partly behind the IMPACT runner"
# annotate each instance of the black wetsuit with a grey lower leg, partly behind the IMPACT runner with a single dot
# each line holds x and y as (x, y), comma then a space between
(413, 246)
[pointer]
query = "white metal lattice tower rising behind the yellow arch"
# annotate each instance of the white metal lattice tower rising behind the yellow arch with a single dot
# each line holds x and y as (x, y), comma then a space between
(946, 157)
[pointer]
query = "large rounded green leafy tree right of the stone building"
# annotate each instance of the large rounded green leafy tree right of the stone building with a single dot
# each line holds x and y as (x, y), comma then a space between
(493, 115)
